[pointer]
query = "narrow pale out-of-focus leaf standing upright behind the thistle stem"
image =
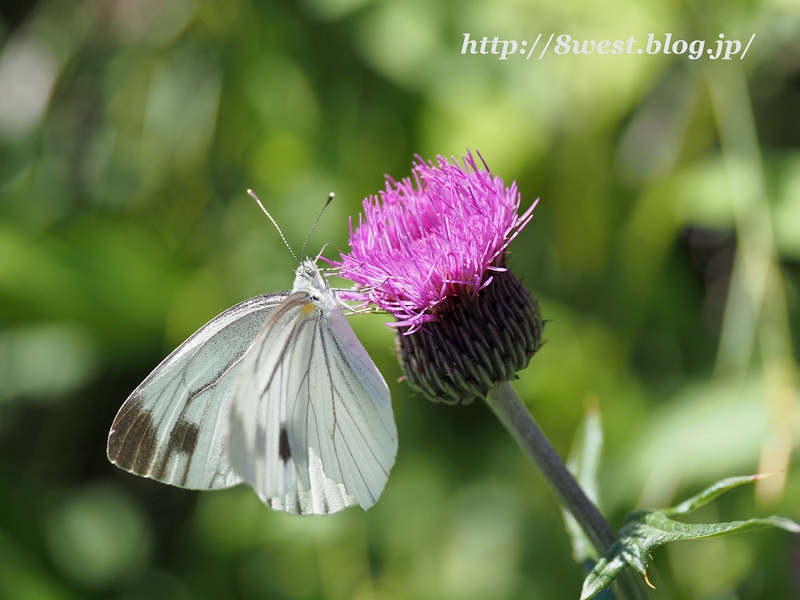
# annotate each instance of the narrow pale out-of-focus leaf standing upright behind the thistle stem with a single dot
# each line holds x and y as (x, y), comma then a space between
(584, 464)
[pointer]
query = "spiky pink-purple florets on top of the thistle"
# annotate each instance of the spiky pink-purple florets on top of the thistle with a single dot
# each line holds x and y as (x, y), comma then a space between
(438, 235)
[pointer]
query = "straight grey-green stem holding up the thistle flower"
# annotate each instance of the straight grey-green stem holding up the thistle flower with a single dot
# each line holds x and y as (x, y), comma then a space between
(508, 407)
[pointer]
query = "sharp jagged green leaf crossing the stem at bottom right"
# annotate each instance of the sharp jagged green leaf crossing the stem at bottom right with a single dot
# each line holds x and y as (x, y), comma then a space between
(645, 530)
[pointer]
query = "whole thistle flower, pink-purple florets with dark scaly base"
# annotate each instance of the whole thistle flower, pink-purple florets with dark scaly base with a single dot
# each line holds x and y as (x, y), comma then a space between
(431, 251)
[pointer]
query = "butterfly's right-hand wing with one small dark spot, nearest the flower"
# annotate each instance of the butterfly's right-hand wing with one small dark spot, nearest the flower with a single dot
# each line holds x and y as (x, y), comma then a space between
(312, 429)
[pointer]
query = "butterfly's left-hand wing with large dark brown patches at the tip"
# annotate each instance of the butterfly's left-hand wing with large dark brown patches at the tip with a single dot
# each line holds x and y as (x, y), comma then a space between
(172, 427)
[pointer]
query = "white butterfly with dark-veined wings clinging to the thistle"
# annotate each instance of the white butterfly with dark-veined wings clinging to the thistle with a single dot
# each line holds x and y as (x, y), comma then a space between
(276, 392)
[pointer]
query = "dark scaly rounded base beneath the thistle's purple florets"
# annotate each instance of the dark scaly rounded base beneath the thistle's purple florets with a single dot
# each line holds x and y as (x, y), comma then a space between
(475, 343)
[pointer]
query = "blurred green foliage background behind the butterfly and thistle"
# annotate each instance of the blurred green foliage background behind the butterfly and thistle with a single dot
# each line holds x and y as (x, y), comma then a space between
(665, 250)
